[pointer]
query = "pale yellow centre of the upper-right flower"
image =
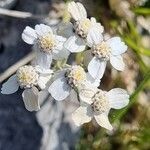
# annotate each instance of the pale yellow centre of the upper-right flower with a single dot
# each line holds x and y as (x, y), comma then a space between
(102, 50)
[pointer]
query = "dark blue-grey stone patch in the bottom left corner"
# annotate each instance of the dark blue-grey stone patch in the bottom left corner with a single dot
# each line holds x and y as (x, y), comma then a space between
(19, 129)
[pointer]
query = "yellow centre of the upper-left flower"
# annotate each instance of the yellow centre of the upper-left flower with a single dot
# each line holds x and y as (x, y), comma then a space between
(47, 43)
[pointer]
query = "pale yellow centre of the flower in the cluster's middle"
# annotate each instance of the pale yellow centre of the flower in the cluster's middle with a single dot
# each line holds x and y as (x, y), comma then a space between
(76, 75)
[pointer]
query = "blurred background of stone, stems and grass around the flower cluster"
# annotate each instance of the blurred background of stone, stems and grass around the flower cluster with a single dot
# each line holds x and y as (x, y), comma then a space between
(51, 128)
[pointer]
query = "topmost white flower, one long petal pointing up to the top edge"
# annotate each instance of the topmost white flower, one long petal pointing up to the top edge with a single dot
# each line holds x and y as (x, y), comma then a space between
(82, 26)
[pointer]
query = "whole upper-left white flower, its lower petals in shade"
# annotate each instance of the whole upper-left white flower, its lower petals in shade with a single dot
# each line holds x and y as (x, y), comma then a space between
(47, 44)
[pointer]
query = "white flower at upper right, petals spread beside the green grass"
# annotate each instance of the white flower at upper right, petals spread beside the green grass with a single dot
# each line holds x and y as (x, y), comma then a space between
(104, 50)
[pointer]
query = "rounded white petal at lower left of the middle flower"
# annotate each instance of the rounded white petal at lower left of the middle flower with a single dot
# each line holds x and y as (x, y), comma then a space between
(59, 89)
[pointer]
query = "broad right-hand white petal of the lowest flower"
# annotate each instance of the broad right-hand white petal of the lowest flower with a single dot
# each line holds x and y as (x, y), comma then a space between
(118, 98)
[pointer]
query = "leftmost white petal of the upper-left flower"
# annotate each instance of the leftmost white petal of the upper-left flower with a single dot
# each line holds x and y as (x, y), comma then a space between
(29, 35)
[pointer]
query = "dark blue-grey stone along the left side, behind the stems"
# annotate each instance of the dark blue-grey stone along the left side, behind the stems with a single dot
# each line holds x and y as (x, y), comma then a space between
(19, 129)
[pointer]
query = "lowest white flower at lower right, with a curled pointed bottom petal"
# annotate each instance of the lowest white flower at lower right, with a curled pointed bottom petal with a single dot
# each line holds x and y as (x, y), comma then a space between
(98, 104)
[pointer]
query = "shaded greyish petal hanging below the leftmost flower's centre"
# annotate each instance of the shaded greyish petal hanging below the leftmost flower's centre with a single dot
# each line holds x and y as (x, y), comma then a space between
(30, 99)
